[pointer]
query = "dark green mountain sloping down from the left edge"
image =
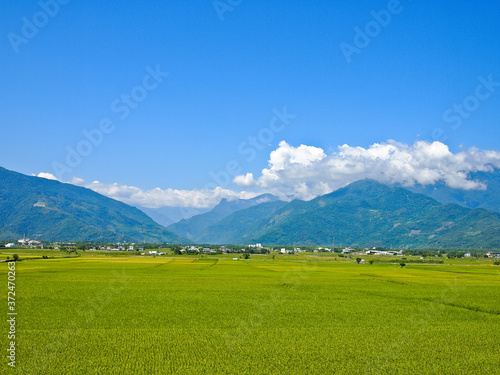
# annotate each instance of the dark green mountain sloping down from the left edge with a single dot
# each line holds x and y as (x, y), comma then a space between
(55, 211)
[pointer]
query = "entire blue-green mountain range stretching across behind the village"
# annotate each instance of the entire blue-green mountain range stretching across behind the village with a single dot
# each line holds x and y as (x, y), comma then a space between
(365, 213)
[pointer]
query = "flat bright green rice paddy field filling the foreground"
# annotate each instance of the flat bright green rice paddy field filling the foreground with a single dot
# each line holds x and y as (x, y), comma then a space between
(289, 315)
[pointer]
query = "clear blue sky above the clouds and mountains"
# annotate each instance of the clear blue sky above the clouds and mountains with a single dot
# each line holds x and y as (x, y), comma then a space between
(231, 65)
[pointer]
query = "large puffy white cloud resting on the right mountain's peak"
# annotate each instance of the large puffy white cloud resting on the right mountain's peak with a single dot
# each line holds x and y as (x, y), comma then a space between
(305, 172)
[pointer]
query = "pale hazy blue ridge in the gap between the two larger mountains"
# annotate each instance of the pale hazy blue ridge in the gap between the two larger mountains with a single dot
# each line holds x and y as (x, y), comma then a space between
(196, 226)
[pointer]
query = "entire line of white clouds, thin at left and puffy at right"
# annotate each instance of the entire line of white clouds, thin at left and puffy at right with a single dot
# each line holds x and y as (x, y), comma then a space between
(306, 172)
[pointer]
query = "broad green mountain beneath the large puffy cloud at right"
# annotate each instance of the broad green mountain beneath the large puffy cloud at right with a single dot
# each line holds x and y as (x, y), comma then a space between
(365, 213)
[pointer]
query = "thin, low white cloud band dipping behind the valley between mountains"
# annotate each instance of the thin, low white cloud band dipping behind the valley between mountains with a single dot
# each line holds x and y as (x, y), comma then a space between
(155, 198)
